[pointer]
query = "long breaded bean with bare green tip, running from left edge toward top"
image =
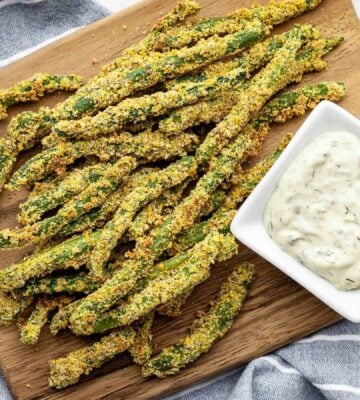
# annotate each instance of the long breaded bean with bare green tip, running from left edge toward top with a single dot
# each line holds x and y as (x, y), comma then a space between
(104, 91)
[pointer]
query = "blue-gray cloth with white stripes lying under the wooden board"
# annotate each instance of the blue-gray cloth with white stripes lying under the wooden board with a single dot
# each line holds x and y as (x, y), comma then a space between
(323, 366)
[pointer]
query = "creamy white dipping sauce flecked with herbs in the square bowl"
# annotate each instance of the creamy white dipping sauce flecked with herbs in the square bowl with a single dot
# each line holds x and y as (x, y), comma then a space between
(314, 213)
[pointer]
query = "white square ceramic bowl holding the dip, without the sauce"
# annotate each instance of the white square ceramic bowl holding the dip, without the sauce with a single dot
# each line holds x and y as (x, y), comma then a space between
(248, 225)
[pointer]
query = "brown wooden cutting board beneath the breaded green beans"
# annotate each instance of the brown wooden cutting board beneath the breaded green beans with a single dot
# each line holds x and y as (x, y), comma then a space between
(277, 312)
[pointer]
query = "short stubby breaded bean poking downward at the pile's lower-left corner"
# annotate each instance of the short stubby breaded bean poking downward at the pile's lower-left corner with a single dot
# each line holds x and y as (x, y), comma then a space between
(31, 329)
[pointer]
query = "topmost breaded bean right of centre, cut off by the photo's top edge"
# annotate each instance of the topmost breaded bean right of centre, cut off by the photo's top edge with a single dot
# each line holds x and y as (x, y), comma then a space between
(273, 14)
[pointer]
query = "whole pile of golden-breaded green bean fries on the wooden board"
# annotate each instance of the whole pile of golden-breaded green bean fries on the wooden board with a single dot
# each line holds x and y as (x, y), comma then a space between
(140, 174)
